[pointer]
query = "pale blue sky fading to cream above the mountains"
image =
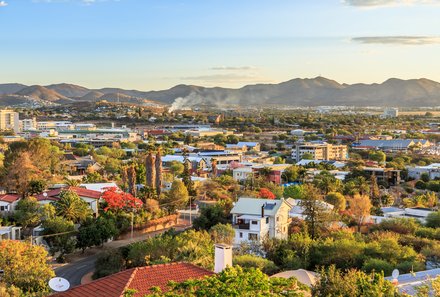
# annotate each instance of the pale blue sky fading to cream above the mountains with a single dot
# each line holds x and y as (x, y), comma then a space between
(156, 44)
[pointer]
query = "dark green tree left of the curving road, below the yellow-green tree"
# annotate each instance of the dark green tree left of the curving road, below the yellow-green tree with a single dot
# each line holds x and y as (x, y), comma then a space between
(62, 239)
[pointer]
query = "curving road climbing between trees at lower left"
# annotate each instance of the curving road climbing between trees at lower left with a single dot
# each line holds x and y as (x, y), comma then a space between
(75, 271)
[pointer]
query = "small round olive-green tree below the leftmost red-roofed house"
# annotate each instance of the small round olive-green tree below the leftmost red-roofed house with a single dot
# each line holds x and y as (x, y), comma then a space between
(27, 212)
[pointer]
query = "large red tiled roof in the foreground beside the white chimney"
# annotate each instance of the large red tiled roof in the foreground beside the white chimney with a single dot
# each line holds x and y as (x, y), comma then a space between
(141, 279)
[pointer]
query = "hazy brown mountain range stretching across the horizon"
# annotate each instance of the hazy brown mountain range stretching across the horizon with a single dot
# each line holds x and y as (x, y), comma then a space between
(296, 92)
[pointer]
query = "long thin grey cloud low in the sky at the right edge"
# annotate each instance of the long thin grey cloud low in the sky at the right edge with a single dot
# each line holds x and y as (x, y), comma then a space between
(398, 40)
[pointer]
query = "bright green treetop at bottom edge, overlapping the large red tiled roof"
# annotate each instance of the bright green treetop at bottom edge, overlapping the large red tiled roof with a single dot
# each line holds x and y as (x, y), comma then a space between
(236, 281)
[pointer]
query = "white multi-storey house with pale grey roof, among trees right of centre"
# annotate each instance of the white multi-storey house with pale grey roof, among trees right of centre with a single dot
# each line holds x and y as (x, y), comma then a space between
(255, 219)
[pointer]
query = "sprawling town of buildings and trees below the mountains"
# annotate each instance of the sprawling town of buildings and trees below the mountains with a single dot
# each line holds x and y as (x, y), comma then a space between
(307, 201)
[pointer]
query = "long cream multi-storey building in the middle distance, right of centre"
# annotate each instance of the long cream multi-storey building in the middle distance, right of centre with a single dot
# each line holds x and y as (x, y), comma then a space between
(319, 151)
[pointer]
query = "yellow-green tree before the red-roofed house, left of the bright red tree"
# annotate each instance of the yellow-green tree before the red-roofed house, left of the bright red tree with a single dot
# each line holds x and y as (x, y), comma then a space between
(71, 207)
